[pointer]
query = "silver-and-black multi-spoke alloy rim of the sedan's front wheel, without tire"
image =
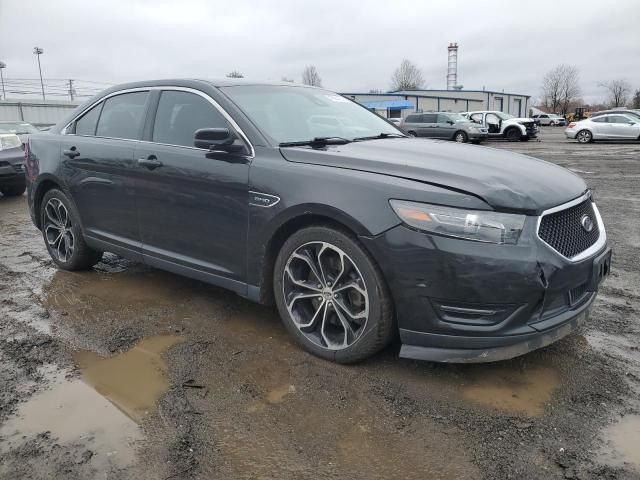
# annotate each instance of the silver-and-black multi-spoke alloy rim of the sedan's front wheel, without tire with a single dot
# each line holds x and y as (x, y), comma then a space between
(325, 295)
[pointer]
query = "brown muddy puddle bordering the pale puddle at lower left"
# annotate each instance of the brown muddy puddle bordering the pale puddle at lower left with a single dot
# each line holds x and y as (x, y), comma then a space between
(133, 381)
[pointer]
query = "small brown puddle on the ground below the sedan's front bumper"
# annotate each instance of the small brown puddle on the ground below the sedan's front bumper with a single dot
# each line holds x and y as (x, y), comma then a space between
(510, 389)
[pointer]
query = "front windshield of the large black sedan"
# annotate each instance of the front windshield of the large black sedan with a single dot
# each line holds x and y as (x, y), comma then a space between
(295, 114)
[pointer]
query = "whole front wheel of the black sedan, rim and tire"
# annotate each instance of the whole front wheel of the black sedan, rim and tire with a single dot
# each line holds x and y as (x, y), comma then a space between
(331, 295)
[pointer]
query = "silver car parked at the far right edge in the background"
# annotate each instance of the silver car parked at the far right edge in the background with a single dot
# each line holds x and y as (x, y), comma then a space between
(605, 127)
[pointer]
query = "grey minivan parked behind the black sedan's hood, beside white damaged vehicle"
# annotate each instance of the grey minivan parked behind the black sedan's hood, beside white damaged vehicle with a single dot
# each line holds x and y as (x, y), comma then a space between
(445, 126)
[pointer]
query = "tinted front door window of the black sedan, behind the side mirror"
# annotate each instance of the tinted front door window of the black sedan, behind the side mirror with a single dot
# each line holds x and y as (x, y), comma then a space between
(180, 114)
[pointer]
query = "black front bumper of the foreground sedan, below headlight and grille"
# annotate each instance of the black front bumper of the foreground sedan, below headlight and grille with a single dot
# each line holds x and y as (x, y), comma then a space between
(462, 301)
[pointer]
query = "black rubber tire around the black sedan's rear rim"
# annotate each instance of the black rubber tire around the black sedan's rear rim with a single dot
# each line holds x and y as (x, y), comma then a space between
(82, 256)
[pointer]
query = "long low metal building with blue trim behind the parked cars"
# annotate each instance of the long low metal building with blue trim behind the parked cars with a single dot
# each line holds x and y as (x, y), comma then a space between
(400, 104)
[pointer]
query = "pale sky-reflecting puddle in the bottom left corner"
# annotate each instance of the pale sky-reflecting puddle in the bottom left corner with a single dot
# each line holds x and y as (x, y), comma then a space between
(73, 412)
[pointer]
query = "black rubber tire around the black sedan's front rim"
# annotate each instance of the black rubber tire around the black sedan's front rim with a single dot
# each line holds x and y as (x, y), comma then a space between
(379, 328)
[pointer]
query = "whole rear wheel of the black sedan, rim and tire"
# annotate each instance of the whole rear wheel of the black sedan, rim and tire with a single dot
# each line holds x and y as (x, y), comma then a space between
(62, 233)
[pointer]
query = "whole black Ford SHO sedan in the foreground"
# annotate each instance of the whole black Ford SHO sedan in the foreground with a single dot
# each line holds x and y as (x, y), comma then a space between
(354, 230)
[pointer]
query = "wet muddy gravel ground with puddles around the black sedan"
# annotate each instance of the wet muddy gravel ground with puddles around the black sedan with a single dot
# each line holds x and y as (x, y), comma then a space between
(128, 372)
